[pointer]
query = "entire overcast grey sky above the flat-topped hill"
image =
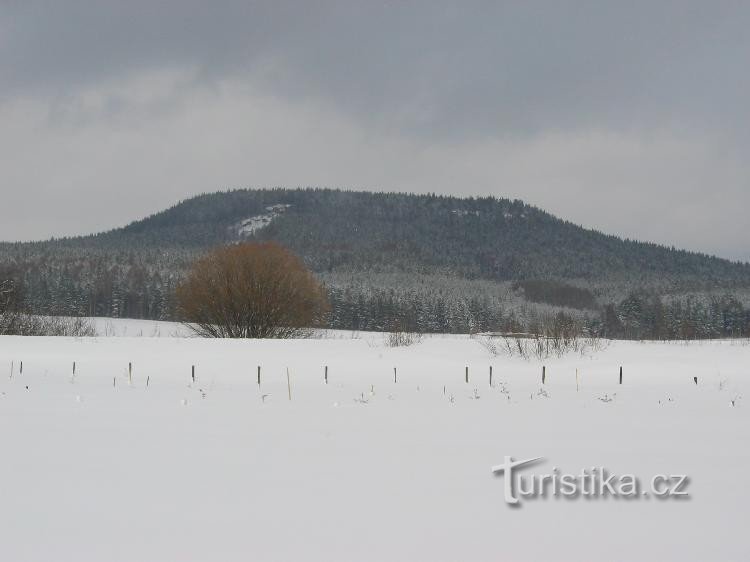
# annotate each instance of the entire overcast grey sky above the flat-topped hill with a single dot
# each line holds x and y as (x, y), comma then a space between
(628, 117)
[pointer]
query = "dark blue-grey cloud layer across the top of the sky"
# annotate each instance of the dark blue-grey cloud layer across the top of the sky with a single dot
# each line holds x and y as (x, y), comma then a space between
(430, 67)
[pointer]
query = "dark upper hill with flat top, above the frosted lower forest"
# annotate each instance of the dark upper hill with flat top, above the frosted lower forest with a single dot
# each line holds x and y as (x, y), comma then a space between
(487, 238)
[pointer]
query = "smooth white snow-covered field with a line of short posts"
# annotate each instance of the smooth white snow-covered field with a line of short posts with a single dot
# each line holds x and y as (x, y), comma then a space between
(104, 467)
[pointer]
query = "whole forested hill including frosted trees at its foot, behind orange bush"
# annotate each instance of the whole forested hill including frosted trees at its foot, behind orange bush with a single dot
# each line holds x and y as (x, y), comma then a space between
(427, 262)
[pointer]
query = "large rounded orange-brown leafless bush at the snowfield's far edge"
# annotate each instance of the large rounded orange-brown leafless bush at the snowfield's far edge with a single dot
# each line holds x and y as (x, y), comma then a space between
(251, 290)
